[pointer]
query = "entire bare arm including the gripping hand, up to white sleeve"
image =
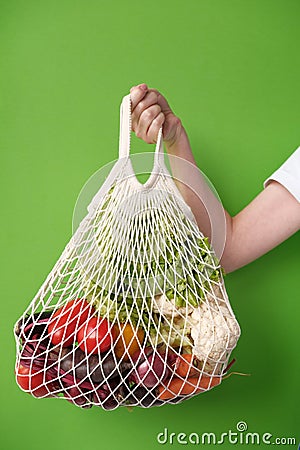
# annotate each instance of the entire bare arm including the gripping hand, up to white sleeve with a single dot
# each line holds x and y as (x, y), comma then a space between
(270, 218)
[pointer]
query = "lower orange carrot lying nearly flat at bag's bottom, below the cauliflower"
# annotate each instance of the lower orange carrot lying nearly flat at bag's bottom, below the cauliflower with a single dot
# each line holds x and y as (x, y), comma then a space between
(192, 385)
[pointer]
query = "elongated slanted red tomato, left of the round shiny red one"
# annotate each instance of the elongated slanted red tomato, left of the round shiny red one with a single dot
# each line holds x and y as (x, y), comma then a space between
(66, 319)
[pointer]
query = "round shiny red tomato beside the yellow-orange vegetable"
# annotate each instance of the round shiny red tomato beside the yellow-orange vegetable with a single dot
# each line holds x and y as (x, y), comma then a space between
(95, 336)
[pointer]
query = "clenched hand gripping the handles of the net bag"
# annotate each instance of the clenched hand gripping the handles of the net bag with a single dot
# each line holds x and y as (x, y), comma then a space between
(150, 111)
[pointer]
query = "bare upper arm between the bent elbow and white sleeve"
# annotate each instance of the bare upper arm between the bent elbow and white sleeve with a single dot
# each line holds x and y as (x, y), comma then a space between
(271, 218)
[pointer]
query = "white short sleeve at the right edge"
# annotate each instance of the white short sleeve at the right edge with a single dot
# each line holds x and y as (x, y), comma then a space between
(289, 174)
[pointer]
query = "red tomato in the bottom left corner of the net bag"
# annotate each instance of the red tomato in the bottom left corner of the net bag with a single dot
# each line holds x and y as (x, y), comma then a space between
(31, 381)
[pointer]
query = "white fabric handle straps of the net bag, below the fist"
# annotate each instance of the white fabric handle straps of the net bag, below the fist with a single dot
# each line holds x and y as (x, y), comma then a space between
(125, 131)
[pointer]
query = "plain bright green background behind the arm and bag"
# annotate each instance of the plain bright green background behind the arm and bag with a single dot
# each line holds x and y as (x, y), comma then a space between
(230, 70)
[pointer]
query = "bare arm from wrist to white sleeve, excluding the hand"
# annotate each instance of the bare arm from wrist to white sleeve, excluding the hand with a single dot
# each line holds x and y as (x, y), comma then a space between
(268, 220)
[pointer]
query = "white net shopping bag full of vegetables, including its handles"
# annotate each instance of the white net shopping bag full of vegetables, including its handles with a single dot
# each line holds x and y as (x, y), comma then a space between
(135, 311)
